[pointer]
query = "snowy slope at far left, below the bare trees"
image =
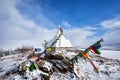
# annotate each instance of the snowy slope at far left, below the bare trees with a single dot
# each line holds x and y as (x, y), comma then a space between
(10, 62)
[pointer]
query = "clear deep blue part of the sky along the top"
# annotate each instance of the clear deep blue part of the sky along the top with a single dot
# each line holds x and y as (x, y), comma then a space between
(76, 12)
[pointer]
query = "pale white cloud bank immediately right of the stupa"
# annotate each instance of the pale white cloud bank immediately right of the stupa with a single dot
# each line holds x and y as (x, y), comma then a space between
(79, 37)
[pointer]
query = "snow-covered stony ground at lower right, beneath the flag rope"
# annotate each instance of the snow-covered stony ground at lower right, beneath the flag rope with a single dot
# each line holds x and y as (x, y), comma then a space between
(108, 70)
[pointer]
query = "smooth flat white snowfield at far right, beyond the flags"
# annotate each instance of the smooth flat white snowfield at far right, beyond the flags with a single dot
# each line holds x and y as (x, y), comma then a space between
(111, 54)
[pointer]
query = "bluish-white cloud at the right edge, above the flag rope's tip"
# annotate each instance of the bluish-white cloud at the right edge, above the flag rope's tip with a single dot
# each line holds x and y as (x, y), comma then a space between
(111, 36)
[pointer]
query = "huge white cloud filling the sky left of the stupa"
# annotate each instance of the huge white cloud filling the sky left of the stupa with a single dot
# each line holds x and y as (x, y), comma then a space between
(16, 30)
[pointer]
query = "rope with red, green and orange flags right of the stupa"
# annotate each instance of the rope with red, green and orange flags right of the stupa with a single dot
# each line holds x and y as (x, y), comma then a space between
(94, 48)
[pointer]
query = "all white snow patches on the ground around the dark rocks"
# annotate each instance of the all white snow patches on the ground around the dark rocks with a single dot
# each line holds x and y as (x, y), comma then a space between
(109, 69)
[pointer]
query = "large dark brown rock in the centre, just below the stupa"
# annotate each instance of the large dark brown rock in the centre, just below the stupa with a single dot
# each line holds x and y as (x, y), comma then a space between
(59, 62)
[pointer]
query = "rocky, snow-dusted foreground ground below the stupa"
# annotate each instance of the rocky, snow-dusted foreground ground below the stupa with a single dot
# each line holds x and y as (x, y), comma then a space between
(58, 66)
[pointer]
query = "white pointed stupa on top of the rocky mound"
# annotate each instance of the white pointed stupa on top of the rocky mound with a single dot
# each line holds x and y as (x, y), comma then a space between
(61, 42)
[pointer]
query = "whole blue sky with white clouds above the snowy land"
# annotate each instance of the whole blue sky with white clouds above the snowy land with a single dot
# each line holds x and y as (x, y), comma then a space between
(83, 21)
